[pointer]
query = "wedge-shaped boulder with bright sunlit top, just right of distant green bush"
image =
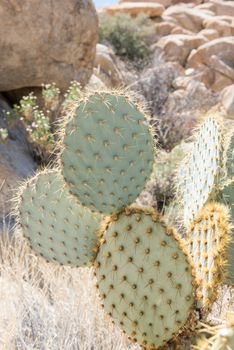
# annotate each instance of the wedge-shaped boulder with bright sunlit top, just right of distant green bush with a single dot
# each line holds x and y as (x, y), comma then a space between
(177, 47)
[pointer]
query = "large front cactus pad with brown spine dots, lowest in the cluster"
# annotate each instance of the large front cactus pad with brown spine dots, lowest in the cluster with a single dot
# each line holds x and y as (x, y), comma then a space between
(144, 277)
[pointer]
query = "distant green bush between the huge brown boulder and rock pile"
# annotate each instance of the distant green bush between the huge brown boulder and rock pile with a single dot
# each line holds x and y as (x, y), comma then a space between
(127, 35)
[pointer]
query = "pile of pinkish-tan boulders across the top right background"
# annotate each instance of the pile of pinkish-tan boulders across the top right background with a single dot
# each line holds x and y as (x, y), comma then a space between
(198, 36)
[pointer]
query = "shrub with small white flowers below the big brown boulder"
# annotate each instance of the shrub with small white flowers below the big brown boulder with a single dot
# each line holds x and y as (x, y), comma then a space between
(38, 121)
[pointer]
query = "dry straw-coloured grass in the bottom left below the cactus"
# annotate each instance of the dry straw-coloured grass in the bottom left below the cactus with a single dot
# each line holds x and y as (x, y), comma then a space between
(44, 306)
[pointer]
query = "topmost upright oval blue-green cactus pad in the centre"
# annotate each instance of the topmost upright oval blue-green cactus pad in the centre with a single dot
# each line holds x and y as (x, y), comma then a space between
(107, 152)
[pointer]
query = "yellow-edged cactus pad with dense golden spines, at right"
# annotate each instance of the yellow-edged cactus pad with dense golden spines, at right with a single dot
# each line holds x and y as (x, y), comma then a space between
(209, 237)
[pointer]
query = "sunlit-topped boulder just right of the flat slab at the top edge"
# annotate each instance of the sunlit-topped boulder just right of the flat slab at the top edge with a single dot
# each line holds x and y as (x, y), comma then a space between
(187, 17)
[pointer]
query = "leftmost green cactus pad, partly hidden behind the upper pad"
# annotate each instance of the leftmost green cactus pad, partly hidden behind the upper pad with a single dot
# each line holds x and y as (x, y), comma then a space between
(57, 226)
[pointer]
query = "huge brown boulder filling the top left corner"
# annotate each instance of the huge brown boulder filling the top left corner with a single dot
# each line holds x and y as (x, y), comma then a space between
(46, 41)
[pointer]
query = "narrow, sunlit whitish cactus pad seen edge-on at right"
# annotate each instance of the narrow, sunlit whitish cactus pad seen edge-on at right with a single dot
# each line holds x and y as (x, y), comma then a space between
(202, 169)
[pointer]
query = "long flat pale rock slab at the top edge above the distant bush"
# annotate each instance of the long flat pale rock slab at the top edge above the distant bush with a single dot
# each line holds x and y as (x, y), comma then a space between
(151, 9)
